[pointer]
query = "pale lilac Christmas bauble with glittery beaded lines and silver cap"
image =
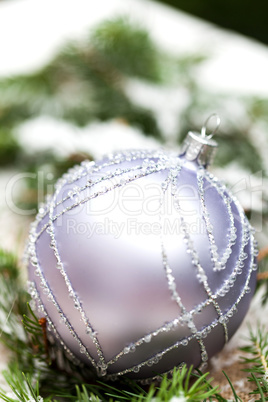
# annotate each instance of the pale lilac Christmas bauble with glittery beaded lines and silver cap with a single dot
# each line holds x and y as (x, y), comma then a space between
(142, 261)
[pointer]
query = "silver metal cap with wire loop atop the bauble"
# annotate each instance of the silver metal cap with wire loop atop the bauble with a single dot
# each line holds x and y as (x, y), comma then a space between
(201, 147)
